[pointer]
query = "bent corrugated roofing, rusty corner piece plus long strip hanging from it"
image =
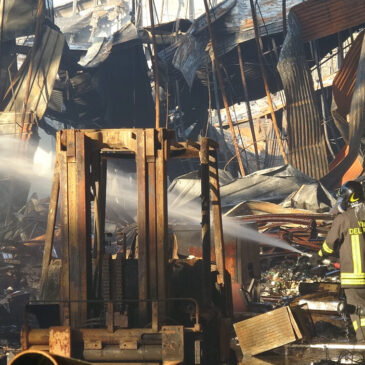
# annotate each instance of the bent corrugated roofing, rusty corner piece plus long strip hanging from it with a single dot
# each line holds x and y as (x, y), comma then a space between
(310, 20)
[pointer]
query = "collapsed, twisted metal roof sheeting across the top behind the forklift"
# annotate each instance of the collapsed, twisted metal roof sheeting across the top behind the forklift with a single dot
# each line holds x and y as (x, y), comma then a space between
(104, 79)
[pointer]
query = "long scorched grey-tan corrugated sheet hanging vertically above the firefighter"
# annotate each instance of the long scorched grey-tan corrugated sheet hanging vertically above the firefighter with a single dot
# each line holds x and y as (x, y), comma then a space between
(306, 143)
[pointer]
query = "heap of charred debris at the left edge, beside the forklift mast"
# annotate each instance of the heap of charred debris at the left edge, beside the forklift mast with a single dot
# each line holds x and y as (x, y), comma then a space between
(21, 250)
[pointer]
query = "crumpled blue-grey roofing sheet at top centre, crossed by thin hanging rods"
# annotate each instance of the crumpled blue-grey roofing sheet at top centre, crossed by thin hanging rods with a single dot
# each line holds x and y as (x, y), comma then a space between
(236, 27)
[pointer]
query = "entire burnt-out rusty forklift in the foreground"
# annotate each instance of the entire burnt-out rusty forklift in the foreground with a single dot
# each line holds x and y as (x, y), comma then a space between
(102, 307)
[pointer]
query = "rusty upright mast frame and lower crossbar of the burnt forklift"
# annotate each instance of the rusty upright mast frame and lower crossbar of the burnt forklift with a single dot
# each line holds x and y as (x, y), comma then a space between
(80, 179)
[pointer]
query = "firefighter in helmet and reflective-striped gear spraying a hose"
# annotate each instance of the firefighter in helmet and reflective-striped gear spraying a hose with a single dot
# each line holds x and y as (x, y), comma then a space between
(346, 239)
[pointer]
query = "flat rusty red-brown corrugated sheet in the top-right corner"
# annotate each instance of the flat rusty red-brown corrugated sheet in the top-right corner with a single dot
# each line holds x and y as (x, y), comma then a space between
(319, 19)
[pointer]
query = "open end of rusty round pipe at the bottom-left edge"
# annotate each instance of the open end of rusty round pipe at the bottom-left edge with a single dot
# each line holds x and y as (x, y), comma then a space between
(37, 357)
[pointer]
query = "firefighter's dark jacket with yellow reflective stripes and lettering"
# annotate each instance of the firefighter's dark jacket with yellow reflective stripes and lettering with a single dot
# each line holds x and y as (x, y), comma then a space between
(346, 238)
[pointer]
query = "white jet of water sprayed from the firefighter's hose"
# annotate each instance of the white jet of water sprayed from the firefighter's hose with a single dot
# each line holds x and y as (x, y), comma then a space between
(122, 189)
